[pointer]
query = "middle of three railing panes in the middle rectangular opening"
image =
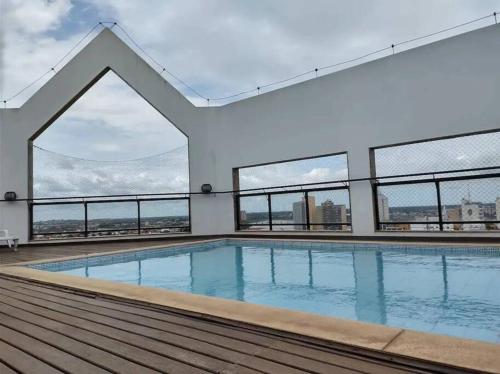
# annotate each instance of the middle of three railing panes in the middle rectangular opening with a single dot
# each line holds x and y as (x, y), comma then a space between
(289, 211)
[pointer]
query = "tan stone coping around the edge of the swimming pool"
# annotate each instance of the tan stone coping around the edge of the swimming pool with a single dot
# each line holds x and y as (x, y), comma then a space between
(451, 351)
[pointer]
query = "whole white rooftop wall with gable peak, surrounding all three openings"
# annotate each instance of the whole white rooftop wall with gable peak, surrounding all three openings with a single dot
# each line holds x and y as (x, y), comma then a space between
(446, 88)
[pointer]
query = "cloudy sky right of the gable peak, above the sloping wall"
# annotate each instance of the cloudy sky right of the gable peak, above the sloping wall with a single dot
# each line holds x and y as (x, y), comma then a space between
(275, 39)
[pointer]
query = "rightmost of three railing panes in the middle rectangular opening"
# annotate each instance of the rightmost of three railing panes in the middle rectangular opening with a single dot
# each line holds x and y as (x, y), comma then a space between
(331, 209)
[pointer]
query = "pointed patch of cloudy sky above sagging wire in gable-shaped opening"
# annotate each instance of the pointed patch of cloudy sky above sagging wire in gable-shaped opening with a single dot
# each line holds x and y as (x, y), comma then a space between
(111, 122)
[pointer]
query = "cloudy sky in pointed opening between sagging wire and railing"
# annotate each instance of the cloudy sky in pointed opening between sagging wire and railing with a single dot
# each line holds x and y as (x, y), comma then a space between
(58, 176)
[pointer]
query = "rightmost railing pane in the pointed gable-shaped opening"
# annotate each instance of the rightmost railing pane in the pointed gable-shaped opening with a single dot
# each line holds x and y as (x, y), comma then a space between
(164, 216)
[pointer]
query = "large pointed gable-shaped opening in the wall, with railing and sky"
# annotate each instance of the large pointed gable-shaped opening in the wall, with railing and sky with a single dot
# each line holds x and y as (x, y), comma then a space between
(110, 164)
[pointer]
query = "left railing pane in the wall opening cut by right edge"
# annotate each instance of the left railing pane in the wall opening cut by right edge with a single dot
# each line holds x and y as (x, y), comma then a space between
(406, 204)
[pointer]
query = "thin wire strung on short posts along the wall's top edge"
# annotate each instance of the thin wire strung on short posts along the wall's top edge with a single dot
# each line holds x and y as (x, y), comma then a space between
(257, 90)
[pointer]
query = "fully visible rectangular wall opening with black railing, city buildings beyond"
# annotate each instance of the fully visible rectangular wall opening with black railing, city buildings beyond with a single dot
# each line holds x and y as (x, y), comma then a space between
(298, 195)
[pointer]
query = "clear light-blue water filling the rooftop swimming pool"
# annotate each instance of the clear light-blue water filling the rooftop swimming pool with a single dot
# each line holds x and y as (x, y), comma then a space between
(451, 291)
